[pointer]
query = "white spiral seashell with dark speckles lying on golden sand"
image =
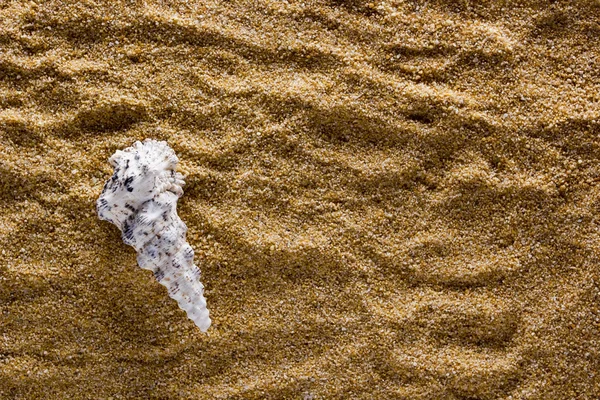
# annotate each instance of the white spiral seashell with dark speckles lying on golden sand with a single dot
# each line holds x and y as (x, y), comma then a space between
(141, 200)
